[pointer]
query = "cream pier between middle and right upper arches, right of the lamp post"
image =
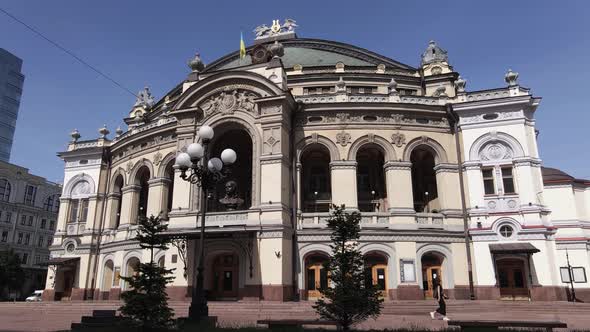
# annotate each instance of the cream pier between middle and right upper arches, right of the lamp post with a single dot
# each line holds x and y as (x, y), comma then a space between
(398, 175)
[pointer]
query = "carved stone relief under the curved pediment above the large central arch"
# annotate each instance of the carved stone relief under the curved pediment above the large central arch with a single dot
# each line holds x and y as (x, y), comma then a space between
(228, 102)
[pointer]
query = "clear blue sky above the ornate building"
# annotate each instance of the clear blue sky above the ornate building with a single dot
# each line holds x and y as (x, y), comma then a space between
(142, 43)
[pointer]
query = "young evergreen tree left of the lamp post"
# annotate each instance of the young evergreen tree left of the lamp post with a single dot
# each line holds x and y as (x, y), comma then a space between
(146, 302)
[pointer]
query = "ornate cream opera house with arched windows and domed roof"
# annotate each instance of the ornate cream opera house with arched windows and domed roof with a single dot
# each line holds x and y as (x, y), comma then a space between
(448, 181)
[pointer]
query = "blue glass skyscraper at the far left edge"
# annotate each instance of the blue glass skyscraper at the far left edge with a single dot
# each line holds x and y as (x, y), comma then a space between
(11, 89)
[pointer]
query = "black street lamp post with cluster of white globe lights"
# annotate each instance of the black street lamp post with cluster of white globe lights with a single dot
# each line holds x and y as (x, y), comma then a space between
(205, 173)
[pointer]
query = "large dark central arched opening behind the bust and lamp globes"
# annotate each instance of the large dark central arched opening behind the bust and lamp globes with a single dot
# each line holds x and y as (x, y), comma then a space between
(239, 140)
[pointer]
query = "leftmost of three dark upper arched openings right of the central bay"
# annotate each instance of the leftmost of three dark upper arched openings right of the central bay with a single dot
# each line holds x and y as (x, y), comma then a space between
(316, 193)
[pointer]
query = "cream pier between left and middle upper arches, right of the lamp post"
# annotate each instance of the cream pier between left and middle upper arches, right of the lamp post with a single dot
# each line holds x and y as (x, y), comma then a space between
(343, 177)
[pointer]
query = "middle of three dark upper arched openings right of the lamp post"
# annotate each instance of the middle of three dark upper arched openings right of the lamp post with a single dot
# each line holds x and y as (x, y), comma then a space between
(371, 193)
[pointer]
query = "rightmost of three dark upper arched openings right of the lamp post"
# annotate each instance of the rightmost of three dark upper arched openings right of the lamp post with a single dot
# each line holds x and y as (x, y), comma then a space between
(424, 187)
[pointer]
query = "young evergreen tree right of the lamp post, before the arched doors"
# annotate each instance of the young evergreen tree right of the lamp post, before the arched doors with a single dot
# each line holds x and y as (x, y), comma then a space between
(352, 297)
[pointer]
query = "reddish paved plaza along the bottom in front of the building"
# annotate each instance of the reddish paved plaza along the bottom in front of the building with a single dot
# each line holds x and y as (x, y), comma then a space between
(55, 316)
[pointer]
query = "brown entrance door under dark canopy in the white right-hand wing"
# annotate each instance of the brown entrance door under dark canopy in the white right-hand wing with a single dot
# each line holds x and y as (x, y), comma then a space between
(512, 280)
